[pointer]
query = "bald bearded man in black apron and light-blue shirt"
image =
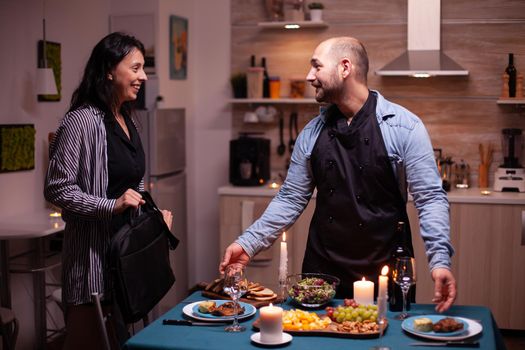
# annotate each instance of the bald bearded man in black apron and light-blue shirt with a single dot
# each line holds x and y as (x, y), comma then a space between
(360, 153)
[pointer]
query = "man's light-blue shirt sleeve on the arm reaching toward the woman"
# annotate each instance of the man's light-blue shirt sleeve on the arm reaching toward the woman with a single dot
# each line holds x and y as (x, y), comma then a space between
(288, 204)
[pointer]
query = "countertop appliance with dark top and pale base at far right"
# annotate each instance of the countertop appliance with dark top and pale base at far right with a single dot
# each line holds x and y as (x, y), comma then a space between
(510, 176)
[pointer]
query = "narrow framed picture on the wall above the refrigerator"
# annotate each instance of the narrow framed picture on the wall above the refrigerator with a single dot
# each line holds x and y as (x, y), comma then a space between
(178, 48)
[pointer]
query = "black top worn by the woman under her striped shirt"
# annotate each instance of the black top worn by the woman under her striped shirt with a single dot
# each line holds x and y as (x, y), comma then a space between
(126, 160)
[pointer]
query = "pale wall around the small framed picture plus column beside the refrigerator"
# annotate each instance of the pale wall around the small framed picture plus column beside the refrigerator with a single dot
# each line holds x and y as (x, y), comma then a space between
(204, 94)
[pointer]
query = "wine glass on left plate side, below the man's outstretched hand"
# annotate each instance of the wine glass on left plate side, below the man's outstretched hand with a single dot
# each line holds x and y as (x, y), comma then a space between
(235, 285)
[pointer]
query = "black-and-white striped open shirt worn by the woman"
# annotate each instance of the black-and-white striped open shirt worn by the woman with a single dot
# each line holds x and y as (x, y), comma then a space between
(76, 181)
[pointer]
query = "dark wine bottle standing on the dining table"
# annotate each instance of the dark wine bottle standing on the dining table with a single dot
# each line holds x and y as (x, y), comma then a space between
(395, 295)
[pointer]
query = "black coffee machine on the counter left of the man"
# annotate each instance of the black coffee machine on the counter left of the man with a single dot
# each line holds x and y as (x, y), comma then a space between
(249, 161)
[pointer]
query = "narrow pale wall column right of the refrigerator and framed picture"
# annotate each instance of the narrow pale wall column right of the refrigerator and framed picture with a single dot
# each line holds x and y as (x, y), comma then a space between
(210, 134)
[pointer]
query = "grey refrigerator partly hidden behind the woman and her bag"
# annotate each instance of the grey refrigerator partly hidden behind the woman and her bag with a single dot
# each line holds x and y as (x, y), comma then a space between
(163, 136)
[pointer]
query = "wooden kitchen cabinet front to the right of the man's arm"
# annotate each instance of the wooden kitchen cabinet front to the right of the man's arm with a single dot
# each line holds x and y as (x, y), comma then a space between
(490, 259)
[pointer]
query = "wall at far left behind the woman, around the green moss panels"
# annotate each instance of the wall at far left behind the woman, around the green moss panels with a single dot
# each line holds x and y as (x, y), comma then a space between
(77, 25)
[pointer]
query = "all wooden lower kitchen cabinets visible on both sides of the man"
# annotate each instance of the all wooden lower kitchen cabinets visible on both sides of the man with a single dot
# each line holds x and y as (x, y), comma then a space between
(486, 233)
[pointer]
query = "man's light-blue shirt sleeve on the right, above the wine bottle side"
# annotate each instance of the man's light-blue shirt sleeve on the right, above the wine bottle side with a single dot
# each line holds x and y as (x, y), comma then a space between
(430, 199)
